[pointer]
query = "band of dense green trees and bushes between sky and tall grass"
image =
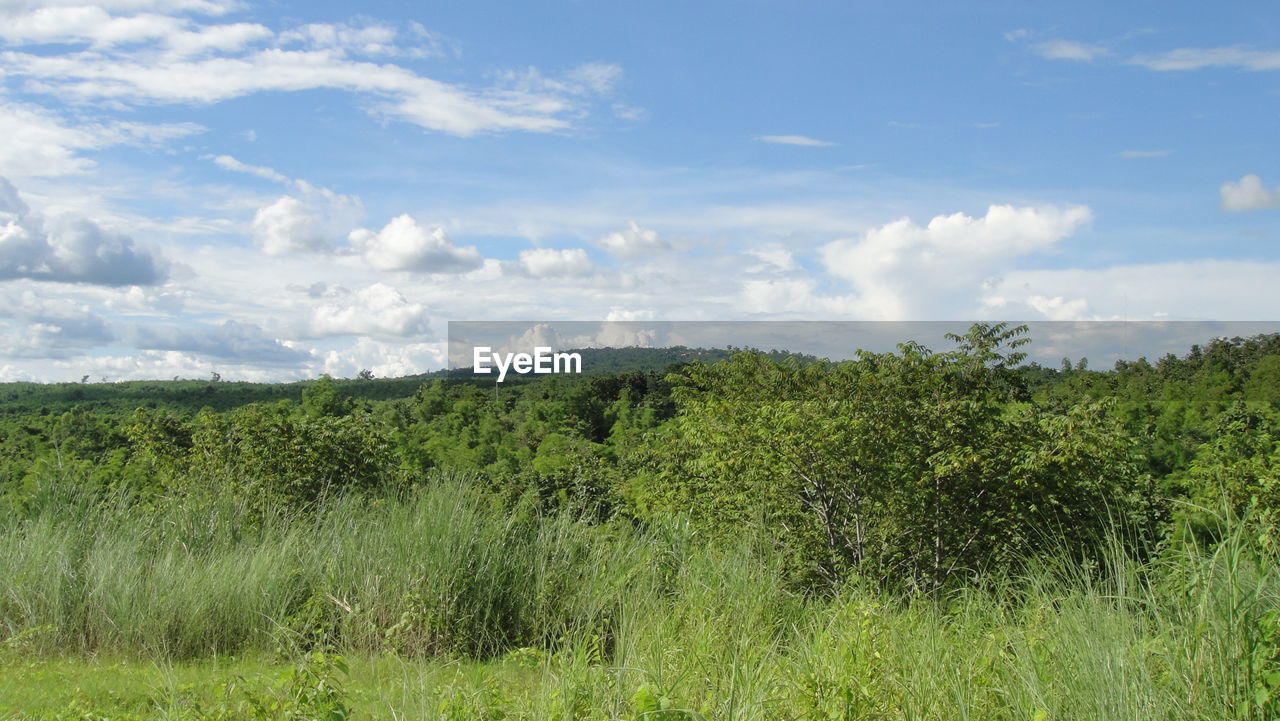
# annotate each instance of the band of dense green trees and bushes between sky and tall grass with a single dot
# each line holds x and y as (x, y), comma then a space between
(913, 467)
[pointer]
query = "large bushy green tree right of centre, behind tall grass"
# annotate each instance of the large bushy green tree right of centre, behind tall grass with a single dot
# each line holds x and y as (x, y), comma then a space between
(913, 466)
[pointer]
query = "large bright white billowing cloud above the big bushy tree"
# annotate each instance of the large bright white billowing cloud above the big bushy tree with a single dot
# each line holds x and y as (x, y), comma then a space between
(908, 272)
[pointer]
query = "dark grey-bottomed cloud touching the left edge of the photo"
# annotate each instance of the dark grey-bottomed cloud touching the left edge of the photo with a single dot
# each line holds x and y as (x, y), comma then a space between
(68, 249)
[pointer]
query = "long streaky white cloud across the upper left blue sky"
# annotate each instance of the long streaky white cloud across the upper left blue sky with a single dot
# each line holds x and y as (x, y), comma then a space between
(154, 58)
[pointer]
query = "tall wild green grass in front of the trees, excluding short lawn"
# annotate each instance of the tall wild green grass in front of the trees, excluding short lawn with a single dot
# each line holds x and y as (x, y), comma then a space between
(610, 622)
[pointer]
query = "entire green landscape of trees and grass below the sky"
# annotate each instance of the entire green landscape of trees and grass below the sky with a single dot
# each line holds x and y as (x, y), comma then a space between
(682, 535)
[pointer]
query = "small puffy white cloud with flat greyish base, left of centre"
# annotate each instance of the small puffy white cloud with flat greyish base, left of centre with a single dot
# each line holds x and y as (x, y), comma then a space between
(404, 245)
